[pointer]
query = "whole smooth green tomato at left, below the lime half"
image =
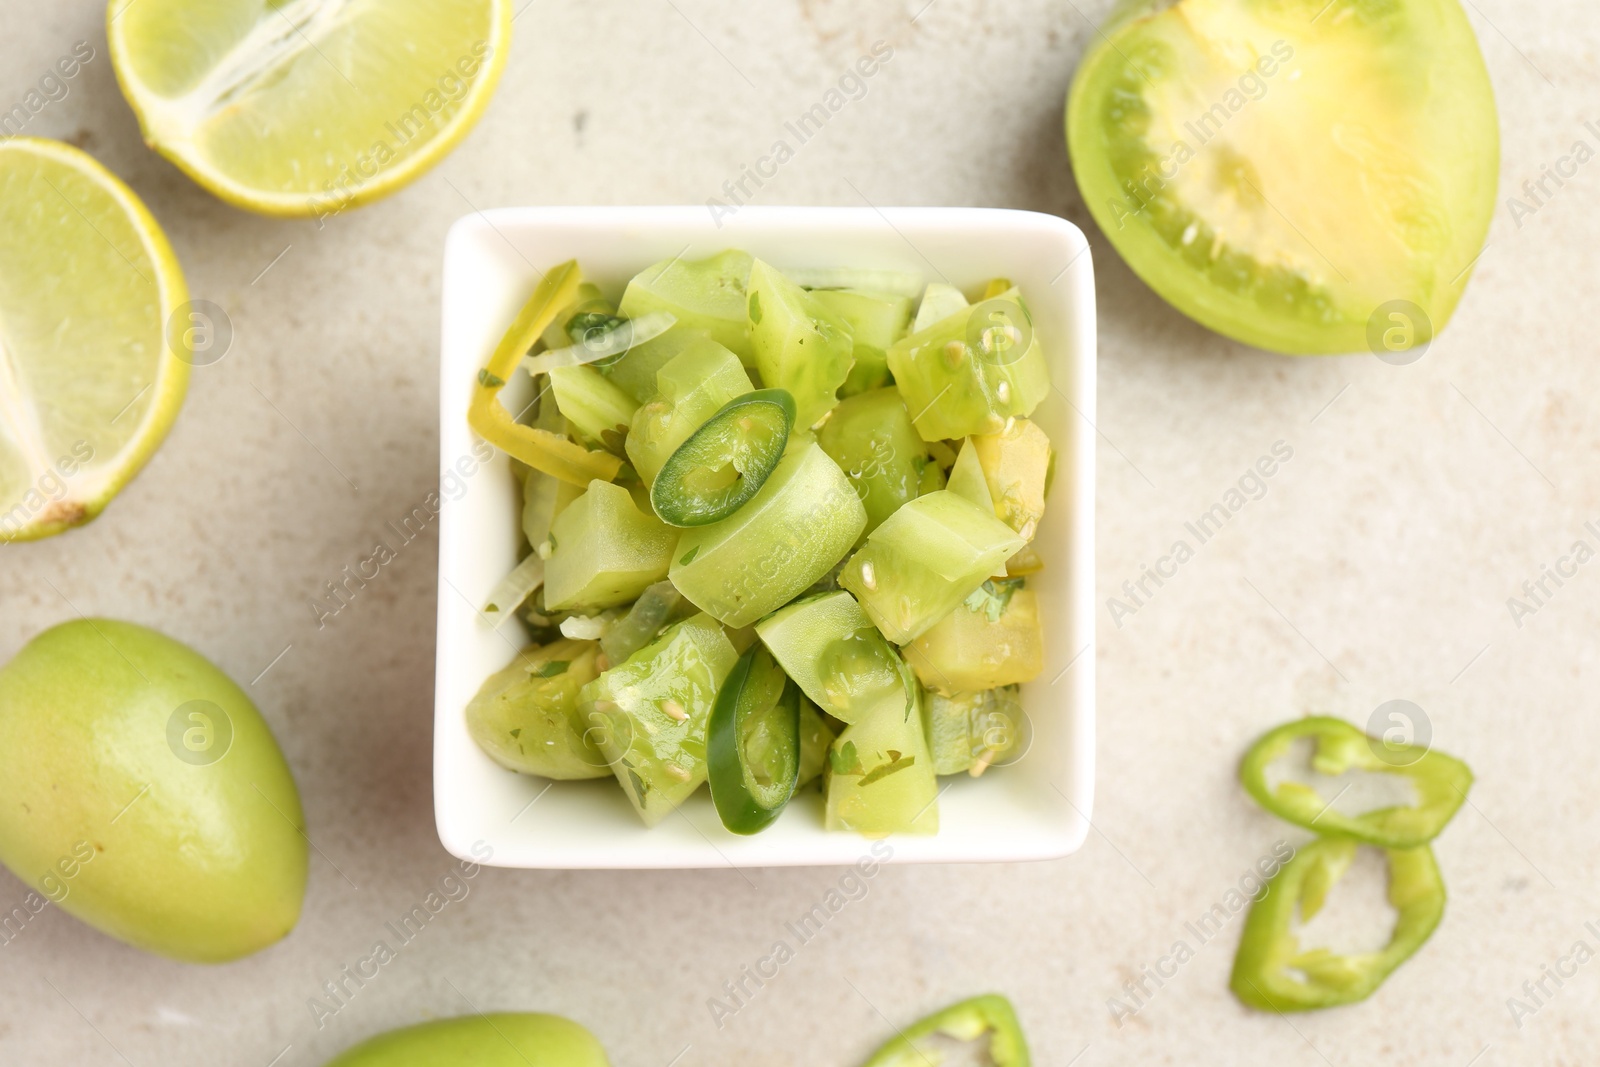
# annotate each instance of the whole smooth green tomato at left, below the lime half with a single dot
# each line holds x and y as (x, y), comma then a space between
(142, 793)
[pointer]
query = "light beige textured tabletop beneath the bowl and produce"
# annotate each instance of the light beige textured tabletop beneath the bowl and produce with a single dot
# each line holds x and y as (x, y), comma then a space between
(1377, 567)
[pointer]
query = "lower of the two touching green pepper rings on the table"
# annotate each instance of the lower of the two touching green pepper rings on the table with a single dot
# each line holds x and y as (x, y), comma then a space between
(1273, 973)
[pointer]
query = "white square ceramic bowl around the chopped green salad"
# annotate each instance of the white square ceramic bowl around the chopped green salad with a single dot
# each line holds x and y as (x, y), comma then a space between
(1036, 809)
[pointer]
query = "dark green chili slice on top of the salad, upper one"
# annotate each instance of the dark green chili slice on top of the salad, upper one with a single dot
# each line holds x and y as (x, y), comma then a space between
(726, 462)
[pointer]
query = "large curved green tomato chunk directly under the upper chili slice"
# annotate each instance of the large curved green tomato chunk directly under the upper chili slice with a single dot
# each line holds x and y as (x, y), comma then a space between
(791, 533)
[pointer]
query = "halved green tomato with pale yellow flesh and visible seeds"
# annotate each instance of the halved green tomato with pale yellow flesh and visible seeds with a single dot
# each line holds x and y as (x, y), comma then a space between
(1308, 177)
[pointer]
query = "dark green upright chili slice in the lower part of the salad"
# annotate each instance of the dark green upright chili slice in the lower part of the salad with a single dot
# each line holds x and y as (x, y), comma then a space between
(753, 743)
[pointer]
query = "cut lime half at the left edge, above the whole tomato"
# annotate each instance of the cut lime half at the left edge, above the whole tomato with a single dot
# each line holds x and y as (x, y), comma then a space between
(89, 386)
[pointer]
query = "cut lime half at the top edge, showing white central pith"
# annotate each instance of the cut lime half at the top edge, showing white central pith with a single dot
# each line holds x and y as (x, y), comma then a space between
(308, 108)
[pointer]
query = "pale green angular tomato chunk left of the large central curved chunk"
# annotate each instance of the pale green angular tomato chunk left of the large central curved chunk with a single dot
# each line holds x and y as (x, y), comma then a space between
(604, 551)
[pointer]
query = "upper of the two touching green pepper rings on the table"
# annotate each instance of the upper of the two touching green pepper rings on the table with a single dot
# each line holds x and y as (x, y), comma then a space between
(1441, 785)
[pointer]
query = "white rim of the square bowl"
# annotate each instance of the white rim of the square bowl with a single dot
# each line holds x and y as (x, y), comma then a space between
(463, 834)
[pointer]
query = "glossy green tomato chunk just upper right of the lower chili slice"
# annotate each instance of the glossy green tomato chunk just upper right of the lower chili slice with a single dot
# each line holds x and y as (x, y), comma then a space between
(834, 653)
